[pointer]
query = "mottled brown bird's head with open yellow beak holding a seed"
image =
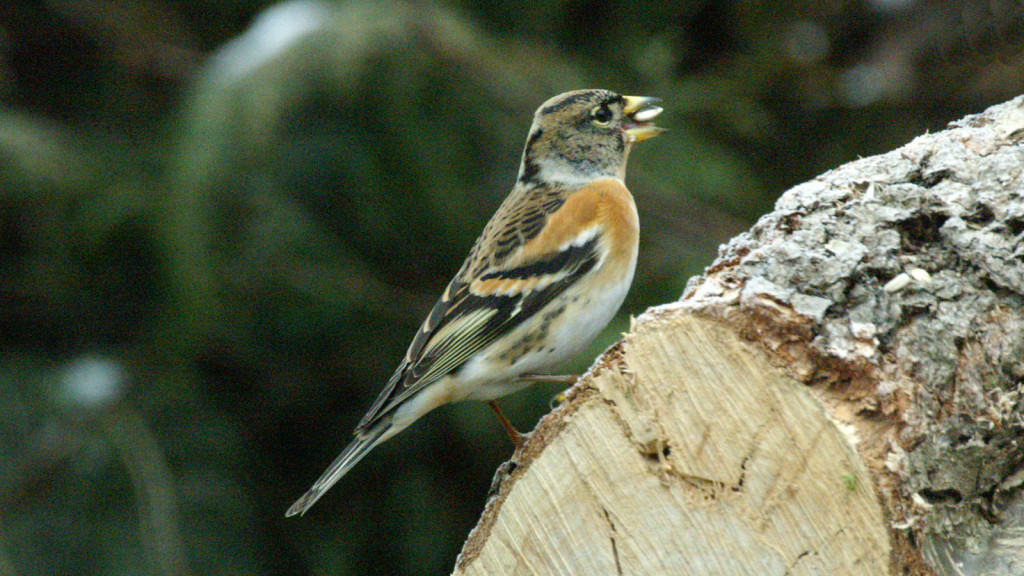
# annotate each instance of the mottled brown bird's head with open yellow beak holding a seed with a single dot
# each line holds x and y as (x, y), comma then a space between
(586, 135)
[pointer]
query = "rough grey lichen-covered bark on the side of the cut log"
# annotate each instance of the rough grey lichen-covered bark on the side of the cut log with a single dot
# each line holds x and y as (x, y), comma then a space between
(909, 269)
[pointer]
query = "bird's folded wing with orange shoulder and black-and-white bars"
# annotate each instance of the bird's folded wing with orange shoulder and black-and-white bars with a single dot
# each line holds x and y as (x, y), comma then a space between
(482, 306)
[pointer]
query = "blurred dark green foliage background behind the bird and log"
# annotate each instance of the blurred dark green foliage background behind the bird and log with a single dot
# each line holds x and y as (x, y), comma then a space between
(223, 222)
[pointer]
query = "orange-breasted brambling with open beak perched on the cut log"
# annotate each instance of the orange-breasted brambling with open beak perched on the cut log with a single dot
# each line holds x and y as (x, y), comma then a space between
(548, 273)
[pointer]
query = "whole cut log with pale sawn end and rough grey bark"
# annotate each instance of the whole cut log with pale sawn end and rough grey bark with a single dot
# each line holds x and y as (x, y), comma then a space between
(841, 393)
